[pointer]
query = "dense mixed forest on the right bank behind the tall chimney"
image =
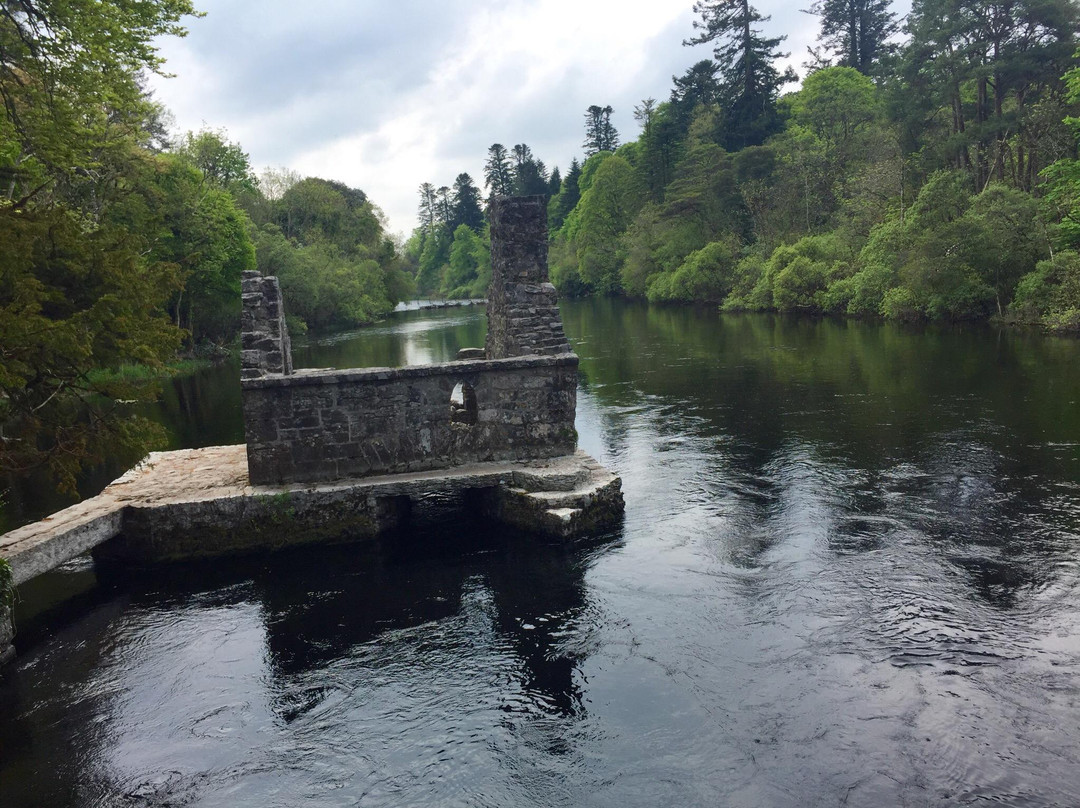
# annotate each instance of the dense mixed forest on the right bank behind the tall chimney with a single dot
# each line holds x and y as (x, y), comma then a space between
(926, 169)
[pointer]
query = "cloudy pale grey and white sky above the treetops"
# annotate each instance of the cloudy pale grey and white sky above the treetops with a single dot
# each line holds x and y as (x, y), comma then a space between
(387, 96)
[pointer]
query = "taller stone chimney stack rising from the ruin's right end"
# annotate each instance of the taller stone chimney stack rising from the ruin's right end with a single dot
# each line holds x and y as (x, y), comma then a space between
(522, 306)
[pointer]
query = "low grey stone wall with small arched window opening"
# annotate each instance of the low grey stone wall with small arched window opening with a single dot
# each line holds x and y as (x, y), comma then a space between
(332, 425)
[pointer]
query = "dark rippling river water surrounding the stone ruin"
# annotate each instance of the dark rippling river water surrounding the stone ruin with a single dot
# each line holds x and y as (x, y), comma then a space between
(849, 575)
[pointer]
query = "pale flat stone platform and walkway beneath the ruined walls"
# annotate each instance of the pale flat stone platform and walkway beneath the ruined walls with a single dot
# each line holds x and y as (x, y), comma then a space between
(199, 503)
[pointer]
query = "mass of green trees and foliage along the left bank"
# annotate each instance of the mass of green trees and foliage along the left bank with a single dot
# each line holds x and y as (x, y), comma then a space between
(119, 249)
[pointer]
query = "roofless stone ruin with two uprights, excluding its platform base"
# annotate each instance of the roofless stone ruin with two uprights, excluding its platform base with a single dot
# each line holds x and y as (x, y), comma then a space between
(517, 402)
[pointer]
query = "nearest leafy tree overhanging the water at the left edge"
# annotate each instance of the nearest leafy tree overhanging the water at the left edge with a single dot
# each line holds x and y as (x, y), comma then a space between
(79, 288)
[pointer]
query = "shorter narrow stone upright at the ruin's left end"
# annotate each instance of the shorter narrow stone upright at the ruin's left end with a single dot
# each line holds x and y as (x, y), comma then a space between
(264, 336)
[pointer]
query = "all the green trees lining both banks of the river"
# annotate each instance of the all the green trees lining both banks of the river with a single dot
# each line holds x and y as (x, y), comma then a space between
(925, 169)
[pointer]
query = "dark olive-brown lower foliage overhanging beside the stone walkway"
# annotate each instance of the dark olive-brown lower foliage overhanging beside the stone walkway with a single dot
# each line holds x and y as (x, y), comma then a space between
(73, 301)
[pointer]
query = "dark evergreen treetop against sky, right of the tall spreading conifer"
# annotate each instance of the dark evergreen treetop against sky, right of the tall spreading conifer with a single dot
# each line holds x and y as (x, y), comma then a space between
(856, 31)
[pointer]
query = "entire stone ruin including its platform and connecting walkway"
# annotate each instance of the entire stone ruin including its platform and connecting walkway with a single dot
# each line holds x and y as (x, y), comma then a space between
(341, 455)
